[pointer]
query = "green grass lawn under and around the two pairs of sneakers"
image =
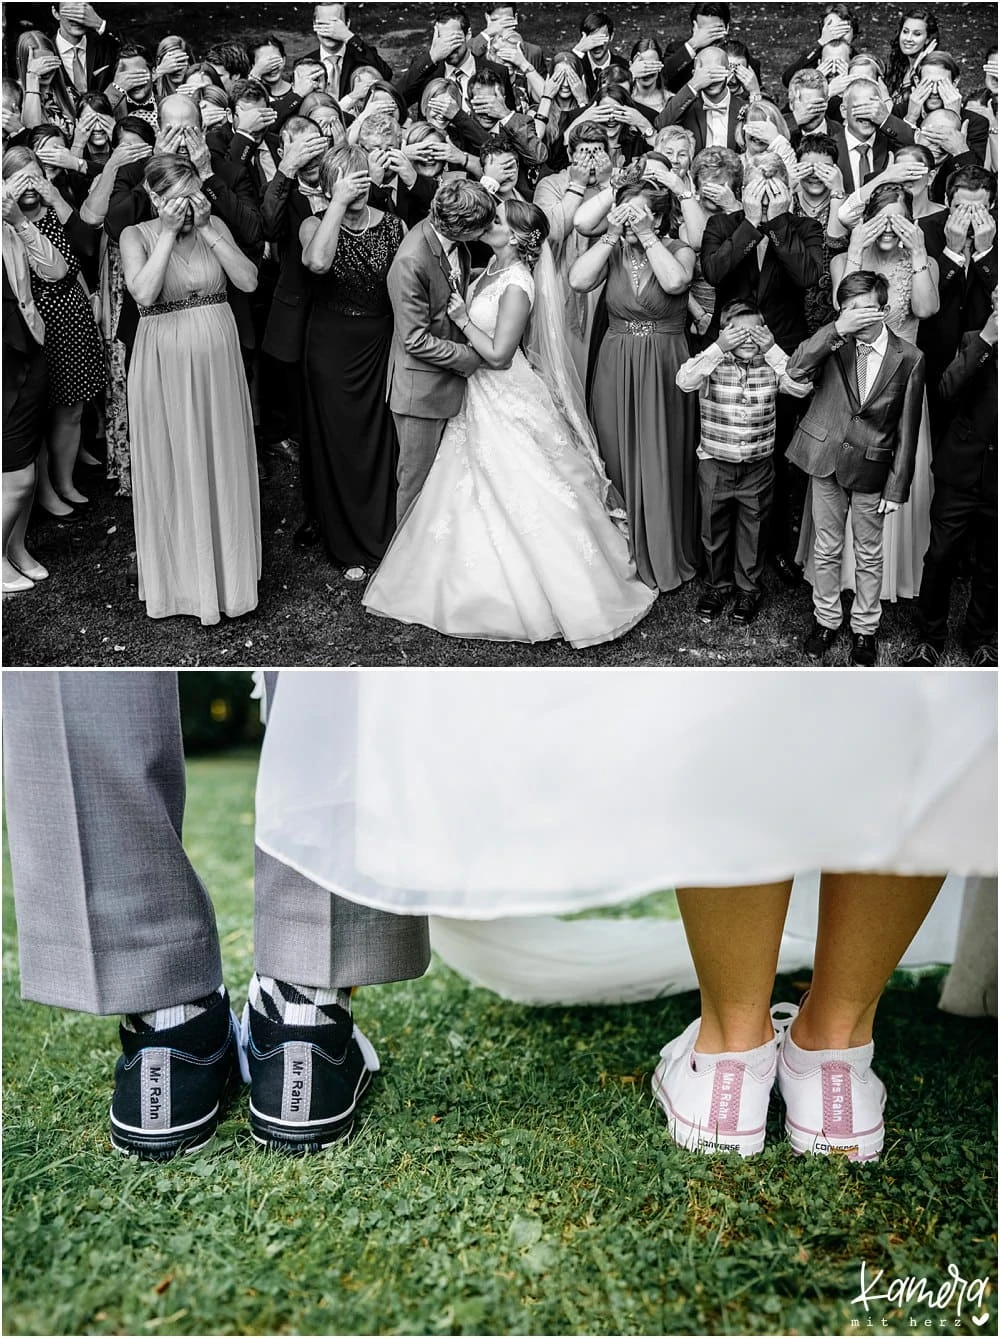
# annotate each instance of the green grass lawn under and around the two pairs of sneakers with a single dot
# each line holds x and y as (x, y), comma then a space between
(509, 1174)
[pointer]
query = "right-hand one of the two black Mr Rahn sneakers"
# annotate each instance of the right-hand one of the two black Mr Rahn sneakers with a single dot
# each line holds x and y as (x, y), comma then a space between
(306, 1082)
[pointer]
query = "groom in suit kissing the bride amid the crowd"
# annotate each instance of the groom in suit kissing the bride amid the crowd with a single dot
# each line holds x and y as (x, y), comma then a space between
(430, 359)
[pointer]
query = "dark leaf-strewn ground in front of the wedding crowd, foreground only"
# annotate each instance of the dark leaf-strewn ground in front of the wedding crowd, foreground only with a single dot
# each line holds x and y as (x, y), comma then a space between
(89, 615)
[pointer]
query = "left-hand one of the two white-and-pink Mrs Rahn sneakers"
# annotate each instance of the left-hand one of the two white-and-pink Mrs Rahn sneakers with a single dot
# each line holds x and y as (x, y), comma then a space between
(716, 1103)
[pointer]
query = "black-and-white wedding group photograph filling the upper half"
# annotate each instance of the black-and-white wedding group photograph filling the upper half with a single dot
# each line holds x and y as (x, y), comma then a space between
(517, 337)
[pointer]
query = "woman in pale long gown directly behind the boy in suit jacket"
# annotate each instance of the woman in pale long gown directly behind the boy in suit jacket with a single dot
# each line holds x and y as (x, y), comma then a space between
(912, 279)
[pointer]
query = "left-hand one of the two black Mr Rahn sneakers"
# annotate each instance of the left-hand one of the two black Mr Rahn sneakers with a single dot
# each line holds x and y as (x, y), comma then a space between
(172, 1086)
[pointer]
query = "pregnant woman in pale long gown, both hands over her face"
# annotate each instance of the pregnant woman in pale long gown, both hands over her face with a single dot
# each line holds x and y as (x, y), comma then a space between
(196, 498)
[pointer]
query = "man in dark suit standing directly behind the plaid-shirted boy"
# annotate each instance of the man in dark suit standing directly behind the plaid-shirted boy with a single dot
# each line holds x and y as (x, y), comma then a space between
(757, 251)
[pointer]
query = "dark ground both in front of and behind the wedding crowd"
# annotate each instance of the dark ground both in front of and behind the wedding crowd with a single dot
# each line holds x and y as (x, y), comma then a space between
(88, 615)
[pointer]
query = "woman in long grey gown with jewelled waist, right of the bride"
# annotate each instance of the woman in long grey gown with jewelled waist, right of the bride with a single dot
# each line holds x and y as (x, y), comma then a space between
(646, 426)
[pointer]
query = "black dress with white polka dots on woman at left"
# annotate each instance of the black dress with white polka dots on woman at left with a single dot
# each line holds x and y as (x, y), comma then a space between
(74, 349)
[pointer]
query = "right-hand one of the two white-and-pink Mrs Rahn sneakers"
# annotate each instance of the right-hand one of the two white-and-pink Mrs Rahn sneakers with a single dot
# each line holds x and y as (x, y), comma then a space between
(833, 1102)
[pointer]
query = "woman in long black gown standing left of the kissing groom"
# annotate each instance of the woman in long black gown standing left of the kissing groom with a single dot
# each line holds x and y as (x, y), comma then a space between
(350, 436)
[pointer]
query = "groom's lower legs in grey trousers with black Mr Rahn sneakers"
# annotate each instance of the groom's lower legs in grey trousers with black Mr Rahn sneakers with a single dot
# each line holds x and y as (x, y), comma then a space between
(113, 919)
